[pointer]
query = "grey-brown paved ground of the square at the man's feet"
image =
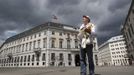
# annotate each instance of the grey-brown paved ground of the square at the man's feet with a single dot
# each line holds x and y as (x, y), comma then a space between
(124, 70)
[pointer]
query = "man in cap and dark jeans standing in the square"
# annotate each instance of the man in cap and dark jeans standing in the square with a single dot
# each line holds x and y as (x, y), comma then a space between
(86, 46)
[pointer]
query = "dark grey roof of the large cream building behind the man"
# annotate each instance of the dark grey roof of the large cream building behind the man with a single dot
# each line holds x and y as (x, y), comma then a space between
(34, 30)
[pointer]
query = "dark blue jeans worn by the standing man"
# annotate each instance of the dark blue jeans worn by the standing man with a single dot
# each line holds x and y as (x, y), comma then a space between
(89, 51)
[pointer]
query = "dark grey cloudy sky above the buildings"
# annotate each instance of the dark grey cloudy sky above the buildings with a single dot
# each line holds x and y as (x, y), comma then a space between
(19, 15)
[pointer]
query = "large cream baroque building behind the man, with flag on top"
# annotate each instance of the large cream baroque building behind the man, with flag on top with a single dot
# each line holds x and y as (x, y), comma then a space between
(49, 44)
